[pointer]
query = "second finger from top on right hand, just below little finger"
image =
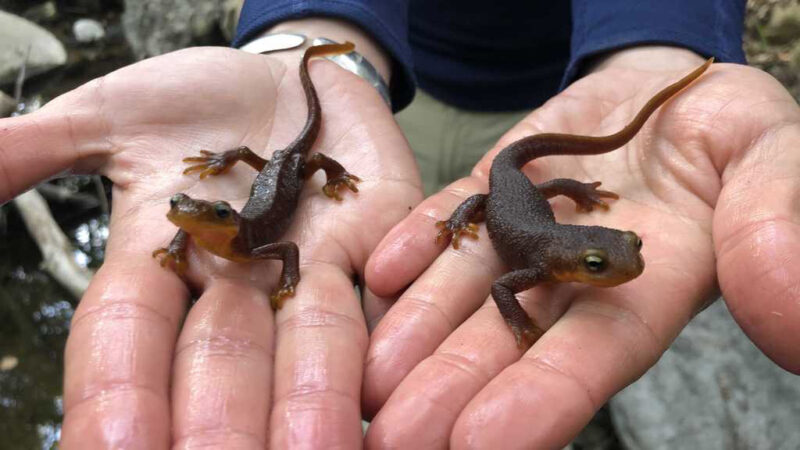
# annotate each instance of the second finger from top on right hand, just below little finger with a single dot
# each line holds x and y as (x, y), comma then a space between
(429, 310)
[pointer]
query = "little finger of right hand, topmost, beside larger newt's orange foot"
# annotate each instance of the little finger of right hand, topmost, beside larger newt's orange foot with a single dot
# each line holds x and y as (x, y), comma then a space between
(409, 248)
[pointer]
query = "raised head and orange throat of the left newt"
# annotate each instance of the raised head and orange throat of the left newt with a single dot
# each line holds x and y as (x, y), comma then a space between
(213, 225)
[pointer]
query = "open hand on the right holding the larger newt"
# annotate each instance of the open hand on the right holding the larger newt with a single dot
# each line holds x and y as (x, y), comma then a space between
(709, 184)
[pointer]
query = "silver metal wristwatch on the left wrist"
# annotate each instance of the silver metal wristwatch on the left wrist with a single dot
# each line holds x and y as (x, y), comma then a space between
(353, 62)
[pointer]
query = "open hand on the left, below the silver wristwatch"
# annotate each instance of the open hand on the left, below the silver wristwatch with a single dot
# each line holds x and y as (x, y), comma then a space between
(138, 373)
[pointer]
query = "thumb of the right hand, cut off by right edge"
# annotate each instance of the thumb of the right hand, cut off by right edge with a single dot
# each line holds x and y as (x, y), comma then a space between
(757, 237)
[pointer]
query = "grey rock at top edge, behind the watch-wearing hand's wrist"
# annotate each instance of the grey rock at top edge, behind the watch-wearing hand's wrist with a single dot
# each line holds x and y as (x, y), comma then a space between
(153, 27)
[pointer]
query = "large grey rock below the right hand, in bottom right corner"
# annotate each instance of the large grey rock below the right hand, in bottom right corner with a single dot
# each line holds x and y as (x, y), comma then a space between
(713, 389)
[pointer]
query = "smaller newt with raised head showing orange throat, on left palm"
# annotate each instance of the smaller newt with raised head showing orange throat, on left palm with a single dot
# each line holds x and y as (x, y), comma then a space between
(254, 232)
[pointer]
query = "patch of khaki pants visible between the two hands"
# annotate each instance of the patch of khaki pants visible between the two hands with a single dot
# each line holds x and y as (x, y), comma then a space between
(448, 141)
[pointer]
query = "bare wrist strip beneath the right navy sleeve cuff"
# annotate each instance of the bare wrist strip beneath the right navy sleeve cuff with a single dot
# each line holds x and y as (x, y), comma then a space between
(645, 57)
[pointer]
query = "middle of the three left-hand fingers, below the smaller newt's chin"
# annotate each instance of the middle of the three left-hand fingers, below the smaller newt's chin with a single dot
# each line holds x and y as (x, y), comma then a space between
(223, 369)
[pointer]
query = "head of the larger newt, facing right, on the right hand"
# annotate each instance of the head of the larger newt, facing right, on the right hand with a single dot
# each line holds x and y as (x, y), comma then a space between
(598, 256)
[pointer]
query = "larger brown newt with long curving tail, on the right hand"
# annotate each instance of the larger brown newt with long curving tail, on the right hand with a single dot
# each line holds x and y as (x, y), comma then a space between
(523, 229)
